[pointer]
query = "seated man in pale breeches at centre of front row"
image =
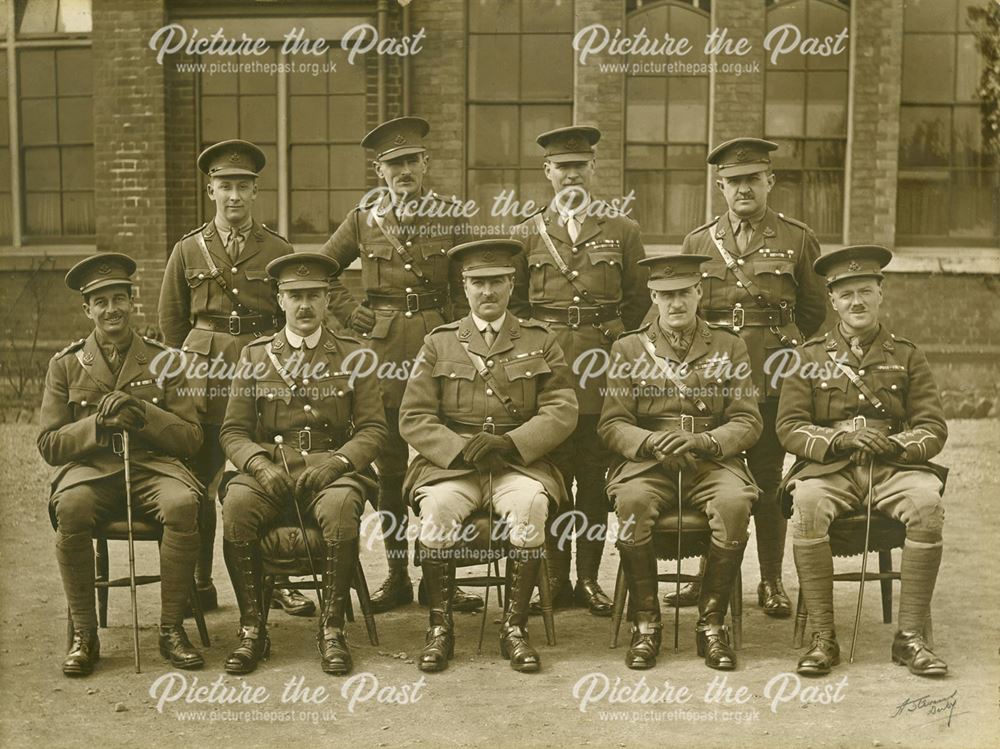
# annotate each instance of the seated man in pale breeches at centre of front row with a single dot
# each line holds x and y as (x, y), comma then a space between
(491, 399)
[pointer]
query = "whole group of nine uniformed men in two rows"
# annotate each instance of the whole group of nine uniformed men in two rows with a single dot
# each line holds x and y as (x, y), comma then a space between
(686, 410)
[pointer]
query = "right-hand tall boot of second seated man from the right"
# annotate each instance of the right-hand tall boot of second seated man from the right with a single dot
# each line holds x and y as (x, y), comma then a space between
(716, 589)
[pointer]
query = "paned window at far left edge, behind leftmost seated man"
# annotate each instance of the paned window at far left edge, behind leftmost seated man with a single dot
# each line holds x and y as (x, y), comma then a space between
(49, 158)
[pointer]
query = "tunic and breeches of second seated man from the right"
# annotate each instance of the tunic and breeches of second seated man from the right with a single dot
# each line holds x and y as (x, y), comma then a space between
(641, 400)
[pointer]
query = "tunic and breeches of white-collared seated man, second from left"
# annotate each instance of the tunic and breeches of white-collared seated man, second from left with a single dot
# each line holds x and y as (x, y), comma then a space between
(319, 409)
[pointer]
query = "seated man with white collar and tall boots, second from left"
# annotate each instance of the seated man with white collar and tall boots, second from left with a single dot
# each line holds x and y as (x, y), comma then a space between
(300, 429)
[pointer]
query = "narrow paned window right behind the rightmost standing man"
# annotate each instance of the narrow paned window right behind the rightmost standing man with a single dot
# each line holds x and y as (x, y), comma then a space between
(805, 113)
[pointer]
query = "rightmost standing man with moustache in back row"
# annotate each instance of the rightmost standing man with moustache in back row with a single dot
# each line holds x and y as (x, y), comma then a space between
(759, 283)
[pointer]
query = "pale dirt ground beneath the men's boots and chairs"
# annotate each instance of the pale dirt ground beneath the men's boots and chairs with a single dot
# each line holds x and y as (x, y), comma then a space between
(584, 695)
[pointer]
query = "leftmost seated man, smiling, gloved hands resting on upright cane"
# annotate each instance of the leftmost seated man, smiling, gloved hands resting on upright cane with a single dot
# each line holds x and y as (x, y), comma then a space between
(110, 382)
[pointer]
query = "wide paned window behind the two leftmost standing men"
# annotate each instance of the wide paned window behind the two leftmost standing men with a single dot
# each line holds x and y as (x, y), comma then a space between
(323, 116)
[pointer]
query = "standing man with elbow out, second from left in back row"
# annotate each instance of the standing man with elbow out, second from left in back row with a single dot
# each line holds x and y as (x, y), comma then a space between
(402, 234)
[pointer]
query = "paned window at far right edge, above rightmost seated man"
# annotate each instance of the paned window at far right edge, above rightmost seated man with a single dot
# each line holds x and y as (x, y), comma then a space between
(948, 183)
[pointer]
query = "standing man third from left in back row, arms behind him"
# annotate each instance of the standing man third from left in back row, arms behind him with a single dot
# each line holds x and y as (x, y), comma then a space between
(580, 274)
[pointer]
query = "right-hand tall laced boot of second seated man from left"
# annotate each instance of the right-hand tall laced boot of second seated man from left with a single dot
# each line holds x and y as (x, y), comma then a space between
(341, 558)
